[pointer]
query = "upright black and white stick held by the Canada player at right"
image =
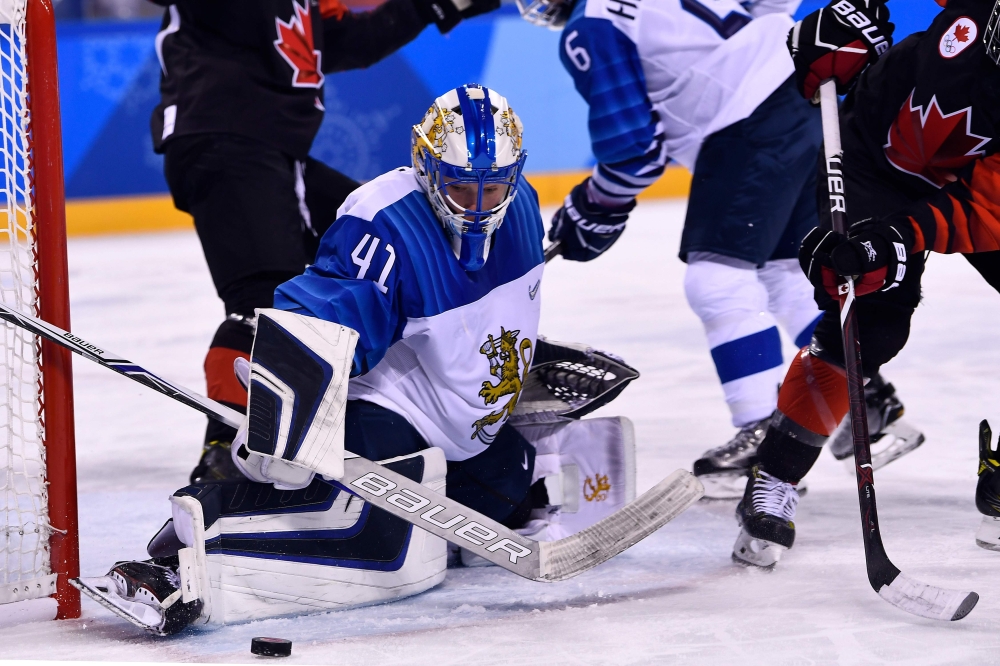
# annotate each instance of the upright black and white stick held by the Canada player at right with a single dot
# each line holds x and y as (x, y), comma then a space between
(892, 585)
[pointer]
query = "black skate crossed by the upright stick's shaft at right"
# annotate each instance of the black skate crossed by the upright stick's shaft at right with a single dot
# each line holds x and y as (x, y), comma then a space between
(891, 437)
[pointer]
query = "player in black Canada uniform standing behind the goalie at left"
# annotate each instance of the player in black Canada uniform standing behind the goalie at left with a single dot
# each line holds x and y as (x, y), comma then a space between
(241, 101)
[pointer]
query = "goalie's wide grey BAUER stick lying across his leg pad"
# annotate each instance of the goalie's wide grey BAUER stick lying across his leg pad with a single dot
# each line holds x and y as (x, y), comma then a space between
(435, 513)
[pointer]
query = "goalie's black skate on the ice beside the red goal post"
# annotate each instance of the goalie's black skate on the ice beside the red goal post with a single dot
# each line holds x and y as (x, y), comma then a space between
(146, 594)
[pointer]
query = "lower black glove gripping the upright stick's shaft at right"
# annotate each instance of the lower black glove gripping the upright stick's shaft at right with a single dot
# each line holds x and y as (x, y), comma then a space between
(874, 255)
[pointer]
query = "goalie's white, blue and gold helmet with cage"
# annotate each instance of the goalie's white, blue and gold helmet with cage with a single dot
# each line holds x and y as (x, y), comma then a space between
(467, 156)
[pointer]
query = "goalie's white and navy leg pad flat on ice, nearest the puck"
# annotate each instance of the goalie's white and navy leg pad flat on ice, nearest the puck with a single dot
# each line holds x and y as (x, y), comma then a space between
(252, 551)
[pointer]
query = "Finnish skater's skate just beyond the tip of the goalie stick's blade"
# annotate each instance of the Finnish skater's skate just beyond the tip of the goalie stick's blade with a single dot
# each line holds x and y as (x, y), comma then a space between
(723, 470)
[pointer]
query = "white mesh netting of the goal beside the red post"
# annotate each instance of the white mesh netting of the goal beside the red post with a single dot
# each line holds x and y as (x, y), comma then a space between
(24, 551)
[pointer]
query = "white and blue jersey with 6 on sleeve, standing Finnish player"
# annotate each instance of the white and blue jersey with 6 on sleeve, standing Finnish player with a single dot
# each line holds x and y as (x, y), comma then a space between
(660, 76)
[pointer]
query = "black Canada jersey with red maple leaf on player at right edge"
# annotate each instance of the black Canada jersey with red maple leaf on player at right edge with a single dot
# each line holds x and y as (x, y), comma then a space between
(920, 133)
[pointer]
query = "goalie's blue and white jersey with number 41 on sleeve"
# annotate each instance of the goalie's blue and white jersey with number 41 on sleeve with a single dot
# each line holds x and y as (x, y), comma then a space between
(445, 348)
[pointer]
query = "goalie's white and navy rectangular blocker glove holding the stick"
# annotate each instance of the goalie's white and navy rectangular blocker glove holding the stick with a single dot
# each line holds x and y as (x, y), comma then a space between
(298, 392)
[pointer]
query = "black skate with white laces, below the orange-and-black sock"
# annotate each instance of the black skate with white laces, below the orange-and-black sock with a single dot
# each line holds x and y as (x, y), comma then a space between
(765, 515)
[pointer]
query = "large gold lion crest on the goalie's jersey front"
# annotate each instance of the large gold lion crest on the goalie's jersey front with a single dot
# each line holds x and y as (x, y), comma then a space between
(506, 357)
